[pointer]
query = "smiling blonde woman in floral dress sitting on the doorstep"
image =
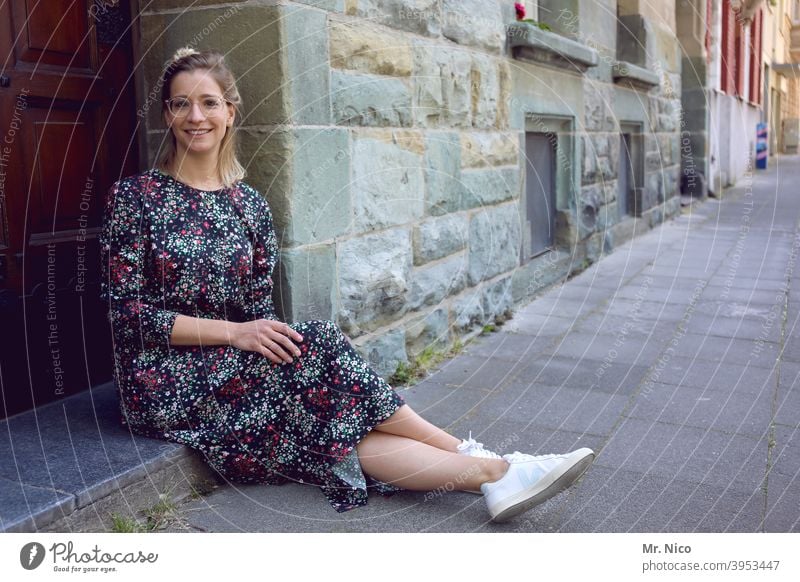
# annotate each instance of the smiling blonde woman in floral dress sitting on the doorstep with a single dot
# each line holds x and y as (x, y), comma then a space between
(202, 359)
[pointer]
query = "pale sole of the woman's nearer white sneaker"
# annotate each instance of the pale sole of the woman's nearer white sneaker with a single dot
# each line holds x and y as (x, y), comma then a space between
(559, 479)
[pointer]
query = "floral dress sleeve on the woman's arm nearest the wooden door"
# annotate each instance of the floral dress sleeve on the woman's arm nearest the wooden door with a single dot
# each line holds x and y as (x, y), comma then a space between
(136, 319)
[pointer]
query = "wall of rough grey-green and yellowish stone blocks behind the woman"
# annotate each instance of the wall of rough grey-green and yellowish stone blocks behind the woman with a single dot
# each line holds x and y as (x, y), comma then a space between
(387, 136)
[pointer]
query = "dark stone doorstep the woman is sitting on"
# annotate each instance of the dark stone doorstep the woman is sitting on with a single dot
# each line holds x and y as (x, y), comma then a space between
(70, 465)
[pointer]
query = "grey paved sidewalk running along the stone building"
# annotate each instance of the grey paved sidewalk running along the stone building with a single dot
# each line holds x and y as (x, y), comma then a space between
(675, 358)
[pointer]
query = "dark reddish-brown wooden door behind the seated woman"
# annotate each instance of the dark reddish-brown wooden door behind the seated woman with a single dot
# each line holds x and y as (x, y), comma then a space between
(67, 105)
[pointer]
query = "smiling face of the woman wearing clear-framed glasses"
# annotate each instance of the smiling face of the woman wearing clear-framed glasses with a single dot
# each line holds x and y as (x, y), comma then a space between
(196, 130)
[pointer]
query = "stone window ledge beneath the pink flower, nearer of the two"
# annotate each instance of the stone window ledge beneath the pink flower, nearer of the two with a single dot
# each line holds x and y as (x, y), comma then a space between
(529, 42)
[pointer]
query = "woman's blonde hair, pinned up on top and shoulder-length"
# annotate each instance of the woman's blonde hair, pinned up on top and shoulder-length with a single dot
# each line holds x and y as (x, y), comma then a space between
(188, 59)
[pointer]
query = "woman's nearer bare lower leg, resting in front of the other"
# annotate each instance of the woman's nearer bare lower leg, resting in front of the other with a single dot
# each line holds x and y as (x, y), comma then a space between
(417, 466)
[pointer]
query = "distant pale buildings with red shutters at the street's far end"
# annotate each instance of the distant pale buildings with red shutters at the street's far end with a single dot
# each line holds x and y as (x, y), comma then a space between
(738, 71)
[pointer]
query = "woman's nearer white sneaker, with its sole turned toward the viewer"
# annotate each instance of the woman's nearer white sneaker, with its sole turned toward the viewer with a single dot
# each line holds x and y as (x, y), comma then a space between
(531, 480)
